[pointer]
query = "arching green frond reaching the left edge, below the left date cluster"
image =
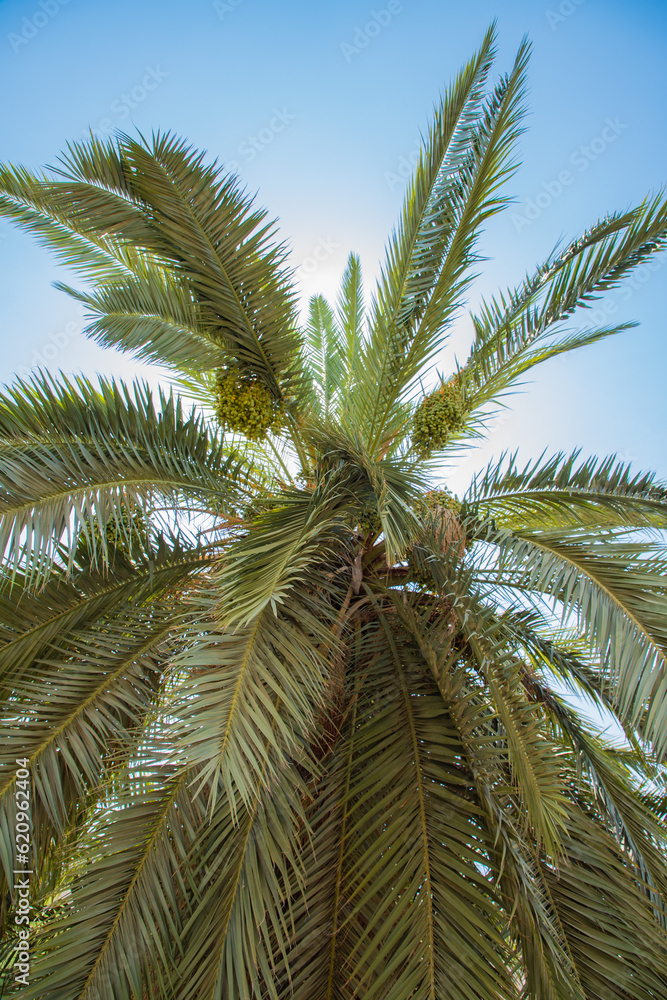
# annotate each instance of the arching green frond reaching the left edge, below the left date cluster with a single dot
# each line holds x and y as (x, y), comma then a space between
(75, 457)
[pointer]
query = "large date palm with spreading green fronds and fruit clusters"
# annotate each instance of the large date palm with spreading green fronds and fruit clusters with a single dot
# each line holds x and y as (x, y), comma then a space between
(298, 722)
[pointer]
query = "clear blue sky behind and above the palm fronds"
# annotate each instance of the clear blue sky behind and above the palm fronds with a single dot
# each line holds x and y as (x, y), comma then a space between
(320, 107)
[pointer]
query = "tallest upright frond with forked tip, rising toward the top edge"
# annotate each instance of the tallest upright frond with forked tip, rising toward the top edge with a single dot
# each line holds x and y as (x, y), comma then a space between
(440, 232)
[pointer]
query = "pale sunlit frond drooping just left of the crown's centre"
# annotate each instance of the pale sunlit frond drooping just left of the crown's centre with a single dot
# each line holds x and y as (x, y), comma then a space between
(250, 694)
